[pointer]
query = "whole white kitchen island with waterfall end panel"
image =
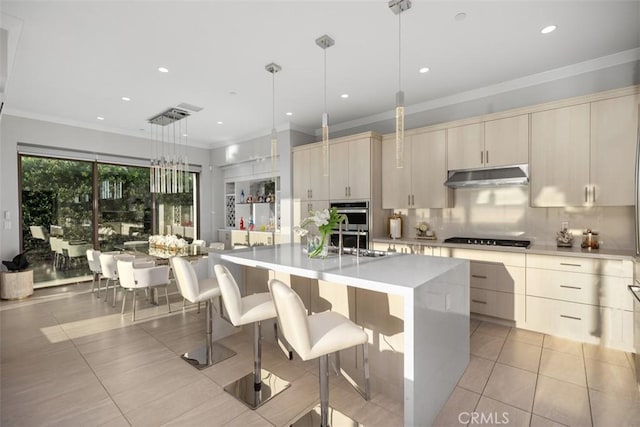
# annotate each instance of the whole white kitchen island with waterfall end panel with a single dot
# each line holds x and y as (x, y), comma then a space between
(435, 312)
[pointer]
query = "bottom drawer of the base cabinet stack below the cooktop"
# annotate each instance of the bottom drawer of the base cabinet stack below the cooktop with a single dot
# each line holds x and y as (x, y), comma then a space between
(504, 305)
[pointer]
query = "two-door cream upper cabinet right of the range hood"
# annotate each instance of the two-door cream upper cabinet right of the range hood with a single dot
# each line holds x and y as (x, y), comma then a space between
(584, 155)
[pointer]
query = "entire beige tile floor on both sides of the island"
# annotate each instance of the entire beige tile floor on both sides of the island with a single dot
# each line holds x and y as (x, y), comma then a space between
(68, 359)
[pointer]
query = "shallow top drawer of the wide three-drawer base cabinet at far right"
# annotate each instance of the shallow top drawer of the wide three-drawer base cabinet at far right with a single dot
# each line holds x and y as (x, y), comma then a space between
(620, 268)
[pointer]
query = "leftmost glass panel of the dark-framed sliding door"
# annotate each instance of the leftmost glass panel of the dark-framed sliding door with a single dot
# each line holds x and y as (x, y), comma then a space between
(57, 226)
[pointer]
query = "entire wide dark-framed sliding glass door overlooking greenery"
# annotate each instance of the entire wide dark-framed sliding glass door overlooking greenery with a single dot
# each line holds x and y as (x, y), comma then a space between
(69, 206)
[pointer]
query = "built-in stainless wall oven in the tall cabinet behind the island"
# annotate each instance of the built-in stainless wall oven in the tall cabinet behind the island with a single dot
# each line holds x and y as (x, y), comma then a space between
(355, 231)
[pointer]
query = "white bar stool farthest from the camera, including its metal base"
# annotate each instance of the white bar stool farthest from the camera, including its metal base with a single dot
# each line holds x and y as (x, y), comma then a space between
(194, 290)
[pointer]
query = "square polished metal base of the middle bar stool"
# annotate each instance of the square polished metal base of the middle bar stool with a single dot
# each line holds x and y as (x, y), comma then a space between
(245, 391)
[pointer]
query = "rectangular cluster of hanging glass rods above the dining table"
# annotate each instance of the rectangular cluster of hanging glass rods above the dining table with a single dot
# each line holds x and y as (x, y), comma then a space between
(169, 171)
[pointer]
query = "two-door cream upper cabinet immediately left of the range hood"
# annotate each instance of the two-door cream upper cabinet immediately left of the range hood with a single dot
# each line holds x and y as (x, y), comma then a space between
(420, 183)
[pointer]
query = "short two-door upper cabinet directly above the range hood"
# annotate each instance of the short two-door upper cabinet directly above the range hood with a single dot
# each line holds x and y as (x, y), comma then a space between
(492, 143)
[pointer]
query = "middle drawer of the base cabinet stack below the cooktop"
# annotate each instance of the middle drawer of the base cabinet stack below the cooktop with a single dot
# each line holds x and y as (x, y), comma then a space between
(497, 277)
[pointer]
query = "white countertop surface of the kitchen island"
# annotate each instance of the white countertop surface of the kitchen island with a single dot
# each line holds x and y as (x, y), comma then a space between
(394, 273)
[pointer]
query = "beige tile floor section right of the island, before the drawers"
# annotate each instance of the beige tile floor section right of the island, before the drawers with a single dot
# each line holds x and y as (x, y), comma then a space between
(522, 378)
